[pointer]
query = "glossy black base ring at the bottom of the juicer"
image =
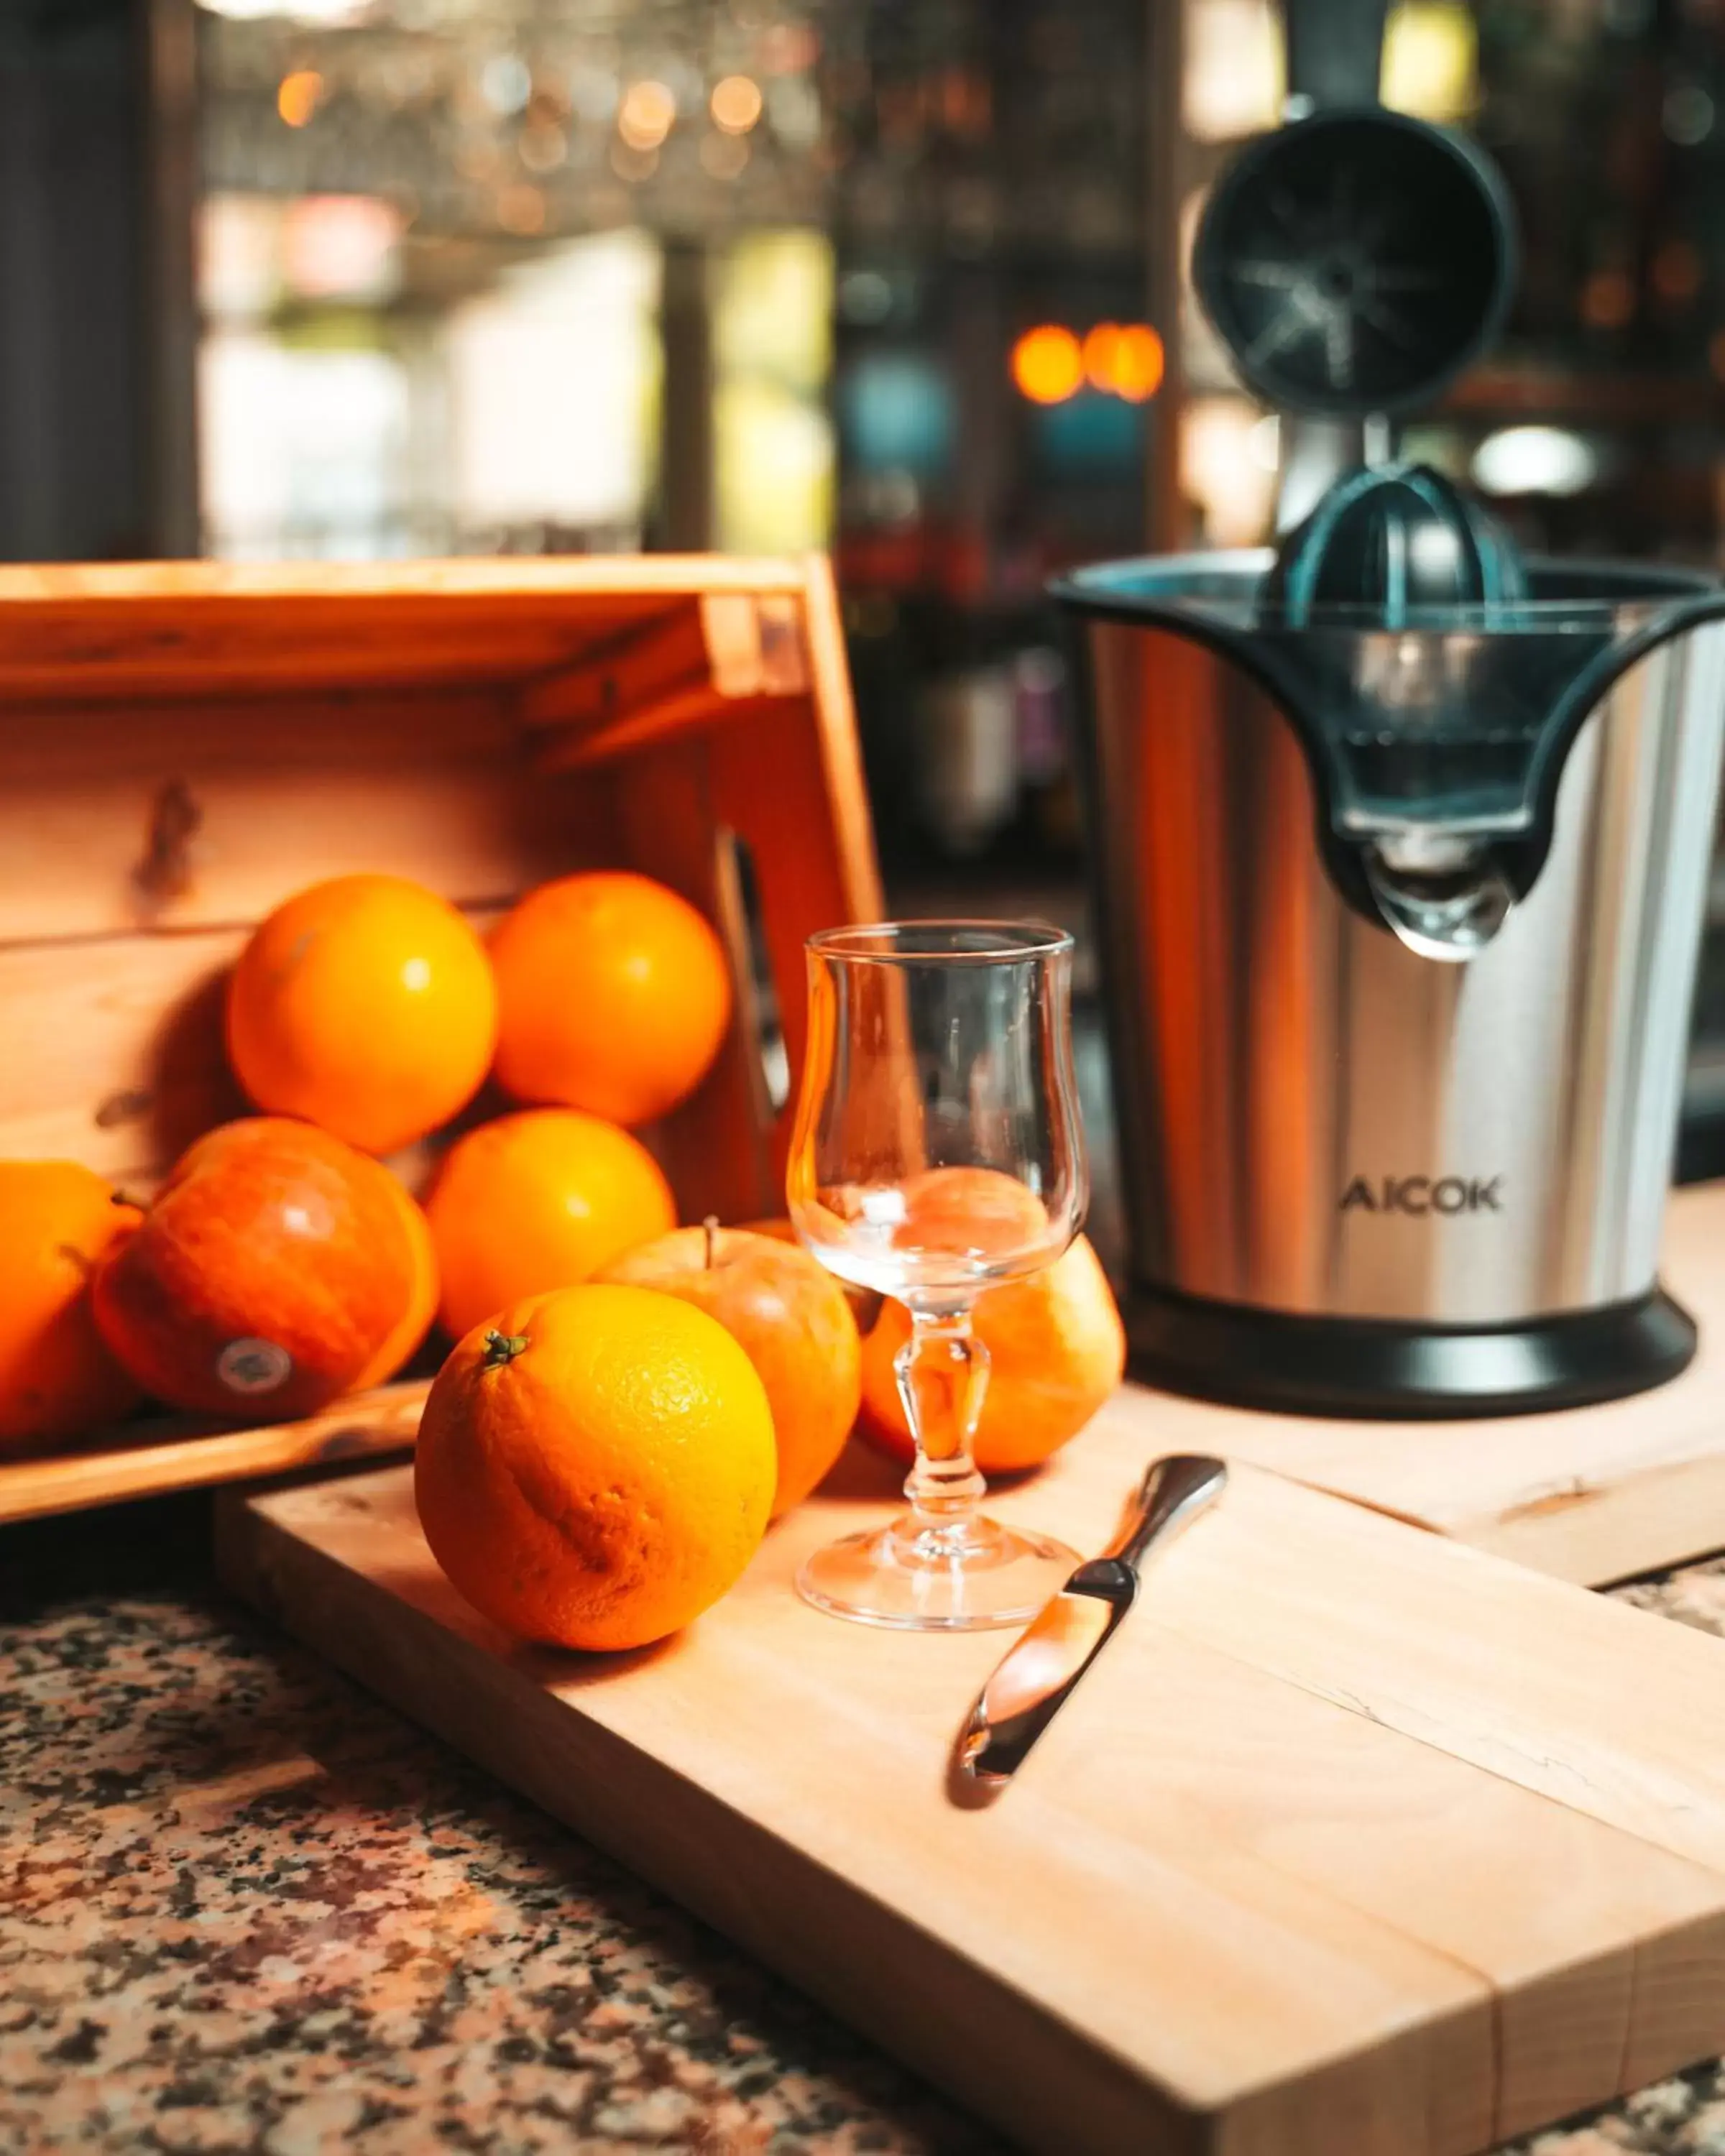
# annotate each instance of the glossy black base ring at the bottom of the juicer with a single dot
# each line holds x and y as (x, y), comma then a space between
(1394, 1372)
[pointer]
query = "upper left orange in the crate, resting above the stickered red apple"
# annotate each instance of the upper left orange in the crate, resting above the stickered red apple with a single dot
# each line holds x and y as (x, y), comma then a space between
(365, 1006)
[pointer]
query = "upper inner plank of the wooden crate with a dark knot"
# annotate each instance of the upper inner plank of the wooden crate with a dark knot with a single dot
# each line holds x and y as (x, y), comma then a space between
(208, 816)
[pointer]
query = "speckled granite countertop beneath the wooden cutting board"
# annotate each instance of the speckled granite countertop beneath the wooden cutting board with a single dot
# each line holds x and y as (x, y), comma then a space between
(247, 1909)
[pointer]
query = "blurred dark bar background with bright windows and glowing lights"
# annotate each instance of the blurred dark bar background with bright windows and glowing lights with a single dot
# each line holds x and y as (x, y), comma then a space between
(415, 277)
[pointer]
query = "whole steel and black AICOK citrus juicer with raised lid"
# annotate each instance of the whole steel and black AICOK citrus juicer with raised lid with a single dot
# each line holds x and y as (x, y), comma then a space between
(1400, 848)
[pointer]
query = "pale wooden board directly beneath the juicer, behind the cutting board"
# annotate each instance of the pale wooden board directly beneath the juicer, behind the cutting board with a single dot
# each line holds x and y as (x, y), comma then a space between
(1588, 1495)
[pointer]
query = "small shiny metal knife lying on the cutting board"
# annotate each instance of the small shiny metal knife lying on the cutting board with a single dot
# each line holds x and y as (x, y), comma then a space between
(1062, 1642)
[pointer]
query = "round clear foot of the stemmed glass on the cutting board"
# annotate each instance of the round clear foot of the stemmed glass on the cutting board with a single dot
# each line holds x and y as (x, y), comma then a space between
(948, 1579)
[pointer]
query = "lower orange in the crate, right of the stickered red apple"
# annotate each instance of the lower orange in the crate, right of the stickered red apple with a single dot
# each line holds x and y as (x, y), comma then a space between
(540, 1200)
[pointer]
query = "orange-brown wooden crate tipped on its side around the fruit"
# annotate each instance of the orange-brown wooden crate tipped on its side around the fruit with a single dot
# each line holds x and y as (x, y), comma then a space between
(187, 745)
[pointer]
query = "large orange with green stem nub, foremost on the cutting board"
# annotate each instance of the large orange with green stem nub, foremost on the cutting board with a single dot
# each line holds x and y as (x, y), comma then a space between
(596, 1469)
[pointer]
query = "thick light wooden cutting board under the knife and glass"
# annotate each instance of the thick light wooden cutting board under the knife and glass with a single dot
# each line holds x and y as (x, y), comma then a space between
(1357, 1842)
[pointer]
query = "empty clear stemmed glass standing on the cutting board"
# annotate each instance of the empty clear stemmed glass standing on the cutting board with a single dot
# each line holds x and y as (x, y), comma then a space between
(937, 1152)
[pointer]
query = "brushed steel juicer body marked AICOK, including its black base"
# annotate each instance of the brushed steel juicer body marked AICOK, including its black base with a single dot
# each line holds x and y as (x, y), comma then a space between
(1362, 1176)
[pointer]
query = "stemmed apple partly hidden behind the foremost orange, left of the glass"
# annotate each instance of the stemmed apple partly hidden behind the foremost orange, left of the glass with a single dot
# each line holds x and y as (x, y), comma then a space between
(795, 1325)
